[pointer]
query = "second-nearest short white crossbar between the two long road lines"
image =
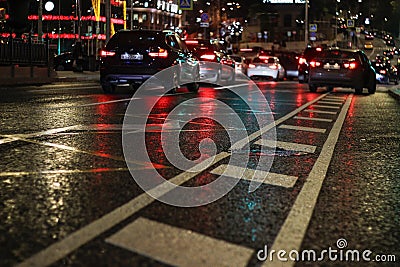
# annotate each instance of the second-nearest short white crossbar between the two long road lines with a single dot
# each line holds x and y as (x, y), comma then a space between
(275, 179)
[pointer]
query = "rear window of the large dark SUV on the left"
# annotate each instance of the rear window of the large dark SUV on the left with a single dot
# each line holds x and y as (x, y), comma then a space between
(139, 39)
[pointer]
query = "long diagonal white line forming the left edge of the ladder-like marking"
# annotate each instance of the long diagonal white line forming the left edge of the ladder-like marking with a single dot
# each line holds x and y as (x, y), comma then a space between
(62, 248)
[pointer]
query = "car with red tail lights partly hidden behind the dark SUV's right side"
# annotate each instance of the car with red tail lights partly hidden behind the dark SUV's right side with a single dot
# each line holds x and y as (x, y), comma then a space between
(212, 51)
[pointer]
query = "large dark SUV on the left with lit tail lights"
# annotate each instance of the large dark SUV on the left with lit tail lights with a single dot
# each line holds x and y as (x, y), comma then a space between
(133, 56)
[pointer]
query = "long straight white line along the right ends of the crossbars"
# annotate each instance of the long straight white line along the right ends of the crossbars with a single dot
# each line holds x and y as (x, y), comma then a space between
(295, 226)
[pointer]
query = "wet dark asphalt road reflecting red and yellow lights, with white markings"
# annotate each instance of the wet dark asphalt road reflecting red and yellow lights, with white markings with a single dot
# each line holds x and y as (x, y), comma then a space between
(68, 198)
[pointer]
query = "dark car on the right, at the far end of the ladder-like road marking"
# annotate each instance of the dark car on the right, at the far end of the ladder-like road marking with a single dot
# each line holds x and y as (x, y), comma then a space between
(342, 68)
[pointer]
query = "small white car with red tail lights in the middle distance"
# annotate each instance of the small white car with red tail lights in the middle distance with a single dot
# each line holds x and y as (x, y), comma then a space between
(265, 66)
